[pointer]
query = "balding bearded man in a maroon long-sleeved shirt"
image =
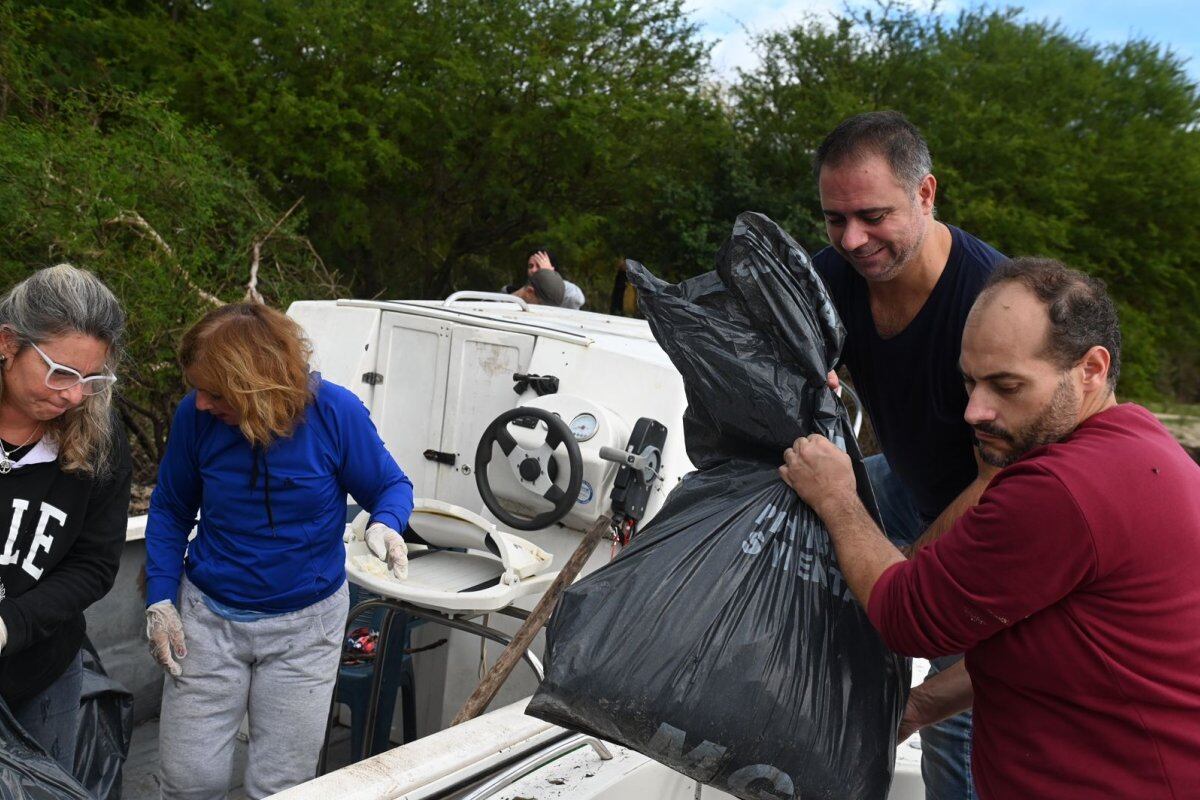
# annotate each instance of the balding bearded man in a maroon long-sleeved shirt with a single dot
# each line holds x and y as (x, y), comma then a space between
(1072, 586)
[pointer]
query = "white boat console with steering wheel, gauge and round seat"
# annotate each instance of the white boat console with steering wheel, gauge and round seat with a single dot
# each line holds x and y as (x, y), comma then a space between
(520, 428)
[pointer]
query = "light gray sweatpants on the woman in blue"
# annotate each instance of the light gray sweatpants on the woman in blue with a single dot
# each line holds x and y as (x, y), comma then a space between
(280, 670)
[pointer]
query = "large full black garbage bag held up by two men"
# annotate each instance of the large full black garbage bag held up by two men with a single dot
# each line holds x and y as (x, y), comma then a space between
(724, 642)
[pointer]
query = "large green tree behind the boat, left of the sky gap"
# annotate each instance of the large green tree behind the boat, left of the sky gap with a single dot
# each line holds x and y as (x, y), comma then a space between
(435, 143)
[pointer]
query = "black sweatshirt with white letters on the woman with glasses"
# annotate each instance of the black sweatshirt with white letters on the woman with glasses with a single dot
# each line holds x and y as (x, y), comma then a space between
(62, 537)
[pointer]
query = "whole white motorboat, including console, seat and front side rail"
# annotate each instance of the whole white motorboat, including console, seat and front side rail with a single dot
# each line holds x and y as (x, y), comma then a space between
(435, 377)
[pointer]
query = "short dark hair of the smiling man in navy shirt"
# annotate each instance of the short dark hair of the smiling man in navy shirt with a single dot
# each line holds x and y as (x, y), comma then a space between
(885, 134)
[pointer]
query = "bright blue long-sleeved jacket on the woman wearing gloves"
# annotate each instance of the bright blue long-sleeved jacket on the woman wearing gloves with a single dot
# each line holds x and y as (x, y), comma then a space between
(272, 521)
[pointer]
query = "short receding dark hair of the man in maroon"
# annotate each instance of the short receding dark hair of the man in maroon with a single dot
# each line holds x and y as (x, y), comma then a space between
(1082, 312)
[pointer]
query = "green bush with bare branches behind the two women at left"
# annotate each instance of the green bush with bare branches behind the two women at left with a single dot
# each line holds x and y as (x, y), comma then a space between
(125, 188)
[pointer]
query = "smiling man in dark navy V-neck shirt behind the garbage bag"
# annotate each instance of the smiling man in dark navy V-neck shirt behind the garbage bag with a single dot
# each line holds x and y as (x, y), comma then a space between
(903, 284)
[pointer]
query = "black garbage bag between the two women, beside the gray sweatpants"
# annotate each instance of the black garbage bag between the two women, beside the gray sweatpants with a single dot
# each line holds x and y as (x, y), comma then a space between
(106, 727)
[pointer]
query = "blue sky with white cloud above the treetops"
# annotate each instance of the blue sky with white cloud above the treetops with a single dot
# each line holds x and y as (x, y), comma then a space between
(1177, 23)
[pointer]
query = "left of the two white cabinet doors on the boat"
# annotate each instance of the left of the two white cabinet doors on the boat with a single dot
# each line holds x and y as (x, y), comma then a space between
(410, 406)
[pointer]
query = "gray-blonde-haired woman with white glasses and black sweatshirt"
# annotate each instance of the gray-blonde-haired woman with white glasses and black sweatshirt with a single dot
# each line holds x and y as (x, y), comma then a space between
(64, 491)
